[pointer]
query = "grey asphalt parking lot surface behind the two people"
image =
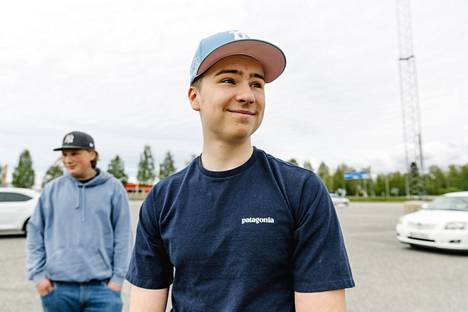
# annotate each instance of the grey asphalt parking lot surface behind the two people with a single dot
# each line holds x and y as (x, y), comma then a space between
(389, 276)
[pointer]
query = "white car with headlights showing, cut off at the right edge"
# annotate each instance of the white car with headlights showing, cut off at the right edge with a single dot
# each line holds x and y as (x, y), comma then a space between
(441, 224)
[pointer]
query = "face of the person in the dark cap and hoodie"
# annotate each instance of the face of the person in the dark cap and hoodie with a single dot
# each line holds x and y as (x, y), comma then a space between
(78, 162)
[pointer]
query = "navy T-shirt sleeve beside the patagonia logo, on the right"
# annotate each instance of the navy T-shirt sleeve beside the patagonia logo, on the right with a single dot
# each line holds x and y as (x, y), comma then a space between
(320, 260)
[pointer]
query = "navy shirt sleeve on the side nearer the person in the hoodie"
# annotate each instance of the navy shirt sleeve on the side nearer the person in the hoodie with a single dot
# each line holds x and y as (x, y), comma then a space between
(150, 267)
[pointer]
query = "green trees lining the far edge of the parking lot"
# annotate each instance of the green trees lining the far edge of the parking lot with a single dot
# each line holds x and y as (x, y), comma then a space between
(436, 181)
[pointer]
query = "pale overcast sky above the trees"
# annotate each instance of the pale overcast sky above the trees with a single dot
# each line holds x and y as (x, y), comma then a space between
(119, 70)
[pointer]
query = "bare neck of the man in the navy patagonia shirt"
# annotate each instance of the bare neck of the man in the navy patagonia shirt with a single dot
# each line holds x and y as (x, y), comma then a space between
(220, 156)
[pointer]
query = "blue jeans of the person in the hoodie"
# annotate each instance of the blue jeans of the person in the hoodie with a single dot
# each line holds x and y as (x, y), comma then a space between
(82, 297)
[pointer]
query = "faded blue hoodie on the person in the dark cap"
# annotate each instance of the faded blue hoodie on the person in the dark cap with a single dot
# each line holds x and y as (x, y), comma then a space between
(80, 232)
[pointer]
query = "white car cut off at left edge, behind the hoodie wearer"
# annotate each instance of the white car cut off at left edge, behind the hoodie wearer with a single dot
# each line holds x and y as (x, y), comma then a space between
(16, 207)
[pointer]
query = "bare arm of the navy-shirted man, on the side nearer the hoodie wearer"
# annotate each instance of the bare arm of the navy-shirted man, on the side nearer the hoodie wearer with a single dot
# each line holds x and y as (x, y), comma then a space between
(148, 300)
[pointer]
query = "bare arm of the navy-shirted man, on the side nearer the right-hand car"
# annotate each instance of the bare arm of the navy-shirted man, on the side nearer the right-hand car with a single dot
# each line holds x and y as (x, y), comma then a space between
(326, 301)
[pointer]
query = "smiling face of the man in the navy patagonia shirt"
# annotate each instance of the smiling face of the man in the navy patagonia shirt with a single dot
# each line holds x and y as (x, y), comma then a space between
(230, 99)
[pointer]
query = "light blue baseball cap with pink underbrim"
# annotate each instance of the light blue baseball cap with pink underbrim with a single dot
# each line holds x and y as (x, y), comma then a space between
(234, 42)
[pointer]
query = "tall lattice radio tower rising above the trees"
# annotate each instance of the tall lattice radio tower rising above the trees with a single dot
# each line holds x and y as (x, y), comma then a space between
(410, 101)
